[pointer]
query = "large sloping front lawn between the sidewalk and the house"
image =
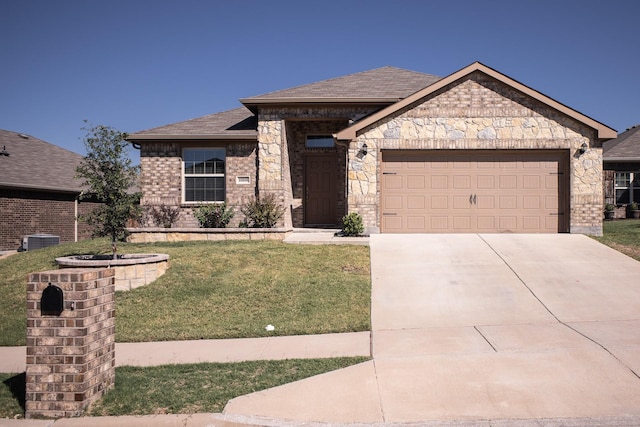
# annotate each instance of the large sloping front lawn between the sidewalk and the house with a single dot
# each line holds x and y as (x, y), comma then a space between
(229, 289)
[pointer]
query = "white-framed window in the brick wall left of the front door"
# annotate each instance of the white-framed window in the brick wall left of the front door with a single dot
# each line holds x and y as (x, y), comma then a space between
(203, 174)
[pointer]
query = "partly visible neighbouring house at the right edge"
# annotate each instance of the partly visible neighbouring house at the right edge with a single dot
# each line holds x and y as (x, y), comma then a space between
(622, 168)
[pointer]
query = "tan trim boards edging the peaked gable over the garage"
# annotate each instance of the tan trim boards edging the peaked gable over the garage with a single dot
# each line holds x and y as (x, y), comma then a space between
(603, 132)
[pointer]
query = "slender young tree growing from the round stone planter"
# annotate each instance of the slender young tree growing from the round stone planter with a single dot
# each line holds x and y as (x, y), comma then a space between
(108, 174)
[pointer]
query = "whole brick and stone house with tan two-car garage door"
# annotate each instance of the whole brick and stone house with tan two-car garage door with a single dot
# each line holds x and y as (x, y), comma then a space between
(472, 152)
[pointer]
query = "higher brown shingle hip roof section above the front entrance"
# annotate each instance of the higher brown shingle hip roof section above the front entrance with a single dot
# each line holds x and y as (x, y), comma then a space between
(386, 83)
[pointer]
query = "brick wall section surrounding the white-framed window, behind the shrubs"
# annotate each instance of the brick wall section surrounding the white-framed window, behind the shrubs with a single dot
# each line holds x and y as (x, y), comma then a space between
(161, 177)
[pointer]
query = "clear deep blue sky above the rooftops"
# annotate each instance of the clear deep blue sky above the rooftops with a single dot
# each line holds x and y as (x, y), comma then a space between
(138, 64)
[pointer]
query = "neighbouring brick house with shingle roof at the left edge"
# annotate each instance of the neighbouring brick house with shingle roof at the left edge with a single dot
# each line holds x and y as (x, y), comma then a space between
(38, 191)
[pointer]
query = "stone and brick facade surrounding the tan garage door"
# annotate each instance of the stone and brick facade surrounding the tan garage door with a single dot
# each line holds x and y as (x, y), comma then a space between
(480, 113)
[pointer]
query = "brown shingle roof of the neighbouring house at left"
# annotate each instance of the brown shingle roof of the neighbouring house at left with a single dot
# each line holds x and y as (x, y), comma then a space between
(36, 164)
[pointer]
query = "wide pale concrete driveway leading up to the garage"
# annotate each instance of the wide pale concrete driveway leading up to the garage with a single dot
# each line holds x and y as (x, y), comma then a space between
(473, 328)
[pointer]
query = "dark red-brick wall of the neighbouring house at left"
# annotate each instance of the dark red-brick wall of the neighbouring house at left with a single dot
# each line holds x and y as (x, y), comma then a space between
(32, 212)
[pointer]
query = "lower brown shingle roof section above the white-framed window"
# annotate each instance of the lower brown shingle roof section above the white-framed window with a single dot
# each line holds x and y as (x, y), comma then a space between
(233, 124)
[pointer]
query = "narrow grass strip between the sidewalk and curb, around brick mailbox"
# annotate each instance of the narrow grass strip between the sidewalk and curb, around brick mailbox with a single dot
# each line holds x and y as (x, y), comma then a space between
(182, 389)
